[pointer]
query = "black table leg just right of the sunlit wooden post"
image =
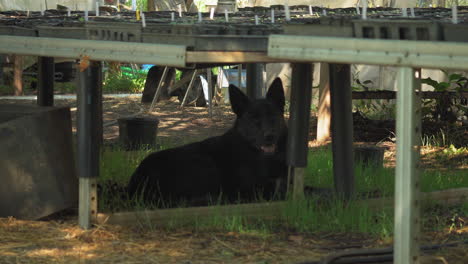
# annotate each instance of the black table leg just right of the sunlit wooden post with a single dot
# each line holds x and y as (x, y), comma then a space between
(342, 129)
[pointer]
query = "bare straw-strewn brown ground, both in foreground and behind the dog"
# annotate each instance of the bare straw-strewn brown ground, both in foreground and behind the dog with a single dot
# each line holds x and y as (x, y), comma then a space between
(60, 240)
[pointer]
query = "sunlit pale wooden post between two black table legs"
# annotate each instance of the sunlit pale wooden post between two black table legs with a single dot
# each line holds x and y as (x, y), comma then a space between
(324, 108)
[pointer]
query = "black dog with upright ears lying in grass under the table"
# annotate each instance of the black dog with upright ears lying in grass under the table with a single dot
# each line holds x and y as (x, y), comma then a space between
(244, 162)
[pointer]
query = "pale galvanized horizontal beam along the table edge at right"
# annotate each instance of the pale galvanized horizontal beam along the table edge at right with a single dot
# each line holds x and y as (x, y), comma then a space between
(417, 54)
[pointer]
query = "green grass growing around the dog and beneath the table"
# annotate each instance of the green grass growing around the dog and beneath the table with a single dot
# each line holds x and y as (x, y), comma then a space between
(310, 215)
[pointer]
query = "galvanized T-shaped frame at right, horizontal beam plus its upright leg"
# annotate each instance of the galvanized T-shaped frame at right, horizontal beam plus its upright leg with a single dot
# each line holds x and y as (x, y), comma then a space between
(406, 55)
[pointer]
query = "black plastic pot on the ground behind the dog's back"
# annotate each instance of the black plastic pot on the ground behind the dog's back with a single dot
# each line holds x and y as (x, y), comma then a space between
(138, 132)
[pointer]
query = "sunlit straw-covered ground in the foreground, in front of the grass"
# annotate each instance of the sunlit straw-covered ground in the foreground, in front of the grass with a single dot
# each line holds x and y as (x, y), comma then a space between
(64, 242)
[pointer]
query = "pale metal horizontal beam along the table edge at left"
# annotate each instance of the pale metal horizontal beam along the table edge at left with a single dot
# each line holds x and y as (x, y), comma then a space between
(169, 55)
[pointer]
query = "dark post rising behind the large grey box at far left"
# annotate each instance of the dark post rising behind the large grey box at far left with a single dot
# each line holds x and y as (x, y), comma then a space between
(46, 75)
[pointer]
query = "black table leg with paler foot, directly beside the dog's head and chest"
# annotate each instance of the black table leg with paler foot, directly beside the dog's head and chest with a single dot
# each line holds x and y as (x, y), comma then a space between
(297, 149)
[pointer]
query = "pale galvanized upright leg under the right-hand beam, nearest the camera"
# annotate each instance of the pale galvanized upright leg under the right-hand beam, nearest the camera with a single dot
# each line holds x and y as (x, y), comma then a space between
(407, 204)
